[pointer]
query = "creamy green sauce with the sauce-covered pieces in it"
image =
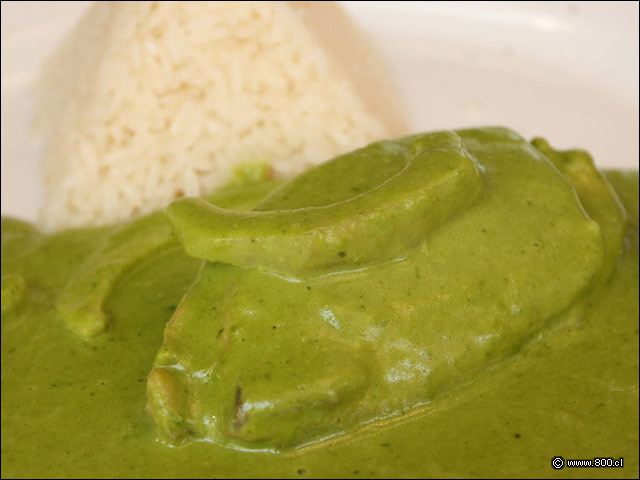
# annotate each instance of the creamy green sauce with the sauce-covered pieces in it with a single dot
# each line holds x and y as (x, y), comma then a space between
(501, 332)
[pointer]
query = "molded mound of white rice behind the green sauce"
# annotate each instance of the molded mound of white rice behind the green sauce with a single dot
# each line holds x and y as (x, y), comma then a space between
(145, 102)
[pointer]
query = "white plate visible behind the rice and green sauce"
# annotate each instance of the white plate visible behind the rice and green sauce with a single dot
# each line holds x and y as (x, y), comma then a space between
(565, 70)
